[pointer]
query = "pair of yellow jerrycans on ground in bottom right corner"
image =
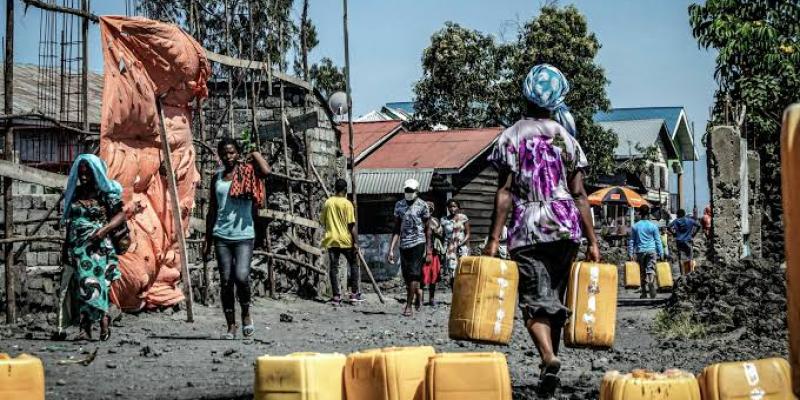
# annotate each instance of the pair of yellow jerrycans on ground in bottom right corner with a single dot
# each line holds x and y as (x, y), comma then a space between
(768, 379)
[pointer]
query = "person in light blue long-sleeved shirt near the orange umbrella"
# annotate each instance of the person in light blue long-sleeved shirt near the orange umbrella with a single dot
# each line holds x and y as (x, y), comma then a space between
(644, 247)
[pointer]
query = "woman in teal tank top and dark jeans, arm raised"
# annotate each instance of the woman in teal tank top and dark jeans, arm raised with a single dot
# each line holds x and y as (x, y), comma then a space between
(230, 228)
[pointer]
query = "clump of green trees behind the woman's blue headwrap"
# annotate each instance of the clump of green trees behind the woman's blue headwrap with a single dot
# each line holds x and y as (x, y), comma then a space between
(469, 80)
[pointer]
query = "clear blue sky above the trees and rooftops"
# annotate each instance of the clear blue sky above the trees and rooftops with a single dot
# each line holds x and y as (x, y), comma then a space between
(648, 51)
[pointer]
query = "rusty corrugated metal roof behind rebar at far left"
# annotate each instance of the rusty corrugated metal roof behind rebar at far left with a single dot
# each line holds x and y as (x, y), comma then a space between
(26, 99)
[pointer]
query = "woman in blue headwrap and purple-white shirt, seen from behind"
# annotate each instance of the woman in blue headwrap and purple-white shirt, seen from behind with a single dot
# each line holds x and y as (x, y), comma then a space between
(541, 168)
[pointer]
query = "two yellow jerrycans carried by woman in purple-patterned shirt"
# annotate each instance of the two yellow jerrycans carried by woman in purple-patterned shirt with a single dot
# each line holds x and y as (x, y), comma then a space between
(485, 298)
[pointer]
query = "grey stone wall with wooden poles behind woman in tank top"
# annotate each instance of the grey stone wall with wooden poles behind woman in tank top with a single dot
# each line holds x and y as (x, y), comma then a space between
(311, 138)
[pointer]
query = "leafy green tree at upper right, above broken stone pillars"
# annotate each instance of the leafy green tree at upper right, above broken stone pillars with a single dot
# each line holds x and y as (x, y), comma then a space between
(758, 56)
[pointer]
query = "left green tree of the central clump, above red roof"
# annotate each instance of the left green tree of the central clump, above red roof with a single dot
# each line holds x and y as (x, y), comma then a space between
(458, 88)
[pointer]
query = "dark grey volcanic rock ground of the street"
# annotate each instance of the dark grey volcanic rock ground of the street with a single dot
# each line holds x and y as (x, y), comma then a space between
(141, 361)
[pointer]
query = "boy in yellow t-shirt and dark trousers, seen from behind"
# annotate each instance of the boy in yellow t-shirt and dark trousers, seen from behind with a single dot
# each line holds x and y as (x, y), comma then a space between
(341, 239)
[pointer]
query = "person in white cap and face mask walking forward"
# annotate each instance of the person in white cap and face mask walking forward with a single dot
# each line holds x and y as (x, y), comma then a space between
(411, 229)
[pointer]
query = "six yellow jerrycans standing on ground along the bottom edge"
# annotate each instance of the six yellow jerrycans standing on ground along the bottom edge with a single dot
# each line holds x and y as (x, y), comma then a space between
(418, 373)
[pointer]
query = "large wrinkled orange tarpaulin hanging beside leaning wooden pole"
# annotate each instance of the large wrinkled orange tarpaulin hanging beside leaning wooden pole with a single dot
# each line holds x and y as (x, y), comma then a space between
(145, 60)
